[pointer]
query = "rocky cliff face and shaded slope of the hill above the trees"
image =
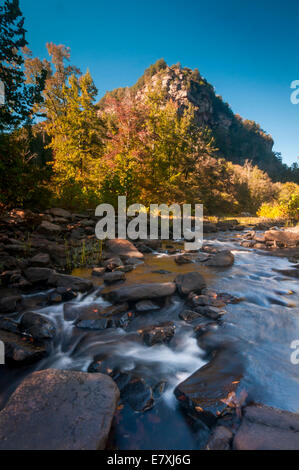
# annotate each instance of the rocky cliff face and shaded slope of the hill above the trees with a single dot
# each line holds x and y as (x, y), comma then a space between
(236, 139)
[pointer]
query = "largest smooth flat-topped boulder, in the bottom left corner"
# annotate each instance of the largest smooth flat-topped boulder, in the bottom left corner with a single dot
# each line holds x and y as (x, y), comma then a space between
(59, 410)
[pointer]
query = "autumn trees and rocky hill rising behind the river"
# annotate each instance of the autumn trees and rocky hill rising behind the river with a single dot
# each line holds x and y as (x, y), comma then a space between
(167, 139)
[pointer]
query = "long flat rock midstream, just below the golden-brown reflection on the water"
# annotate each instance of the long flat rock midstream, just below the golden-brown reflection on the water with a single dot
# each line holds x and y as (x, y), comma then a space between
(141, 291)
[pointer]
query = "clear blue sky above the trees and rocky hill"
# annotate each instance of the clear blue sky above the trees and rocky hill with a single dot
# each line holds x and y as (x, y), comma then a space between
(247, 49)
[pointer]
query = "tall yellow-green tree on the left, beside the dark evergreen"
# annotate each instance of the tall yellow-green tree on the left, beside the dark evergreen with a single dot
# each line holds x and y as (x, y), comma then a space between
(76, 134)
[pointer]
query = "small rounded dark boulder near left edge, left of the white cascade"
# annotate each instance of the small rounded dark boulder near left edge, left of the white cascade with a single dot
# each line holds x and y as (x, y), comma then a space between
(37, 326)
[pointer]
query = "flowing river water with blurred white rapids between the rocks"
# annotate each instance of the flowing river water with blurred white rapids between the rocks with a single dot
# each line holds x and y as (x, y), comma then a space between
(261, 327)
